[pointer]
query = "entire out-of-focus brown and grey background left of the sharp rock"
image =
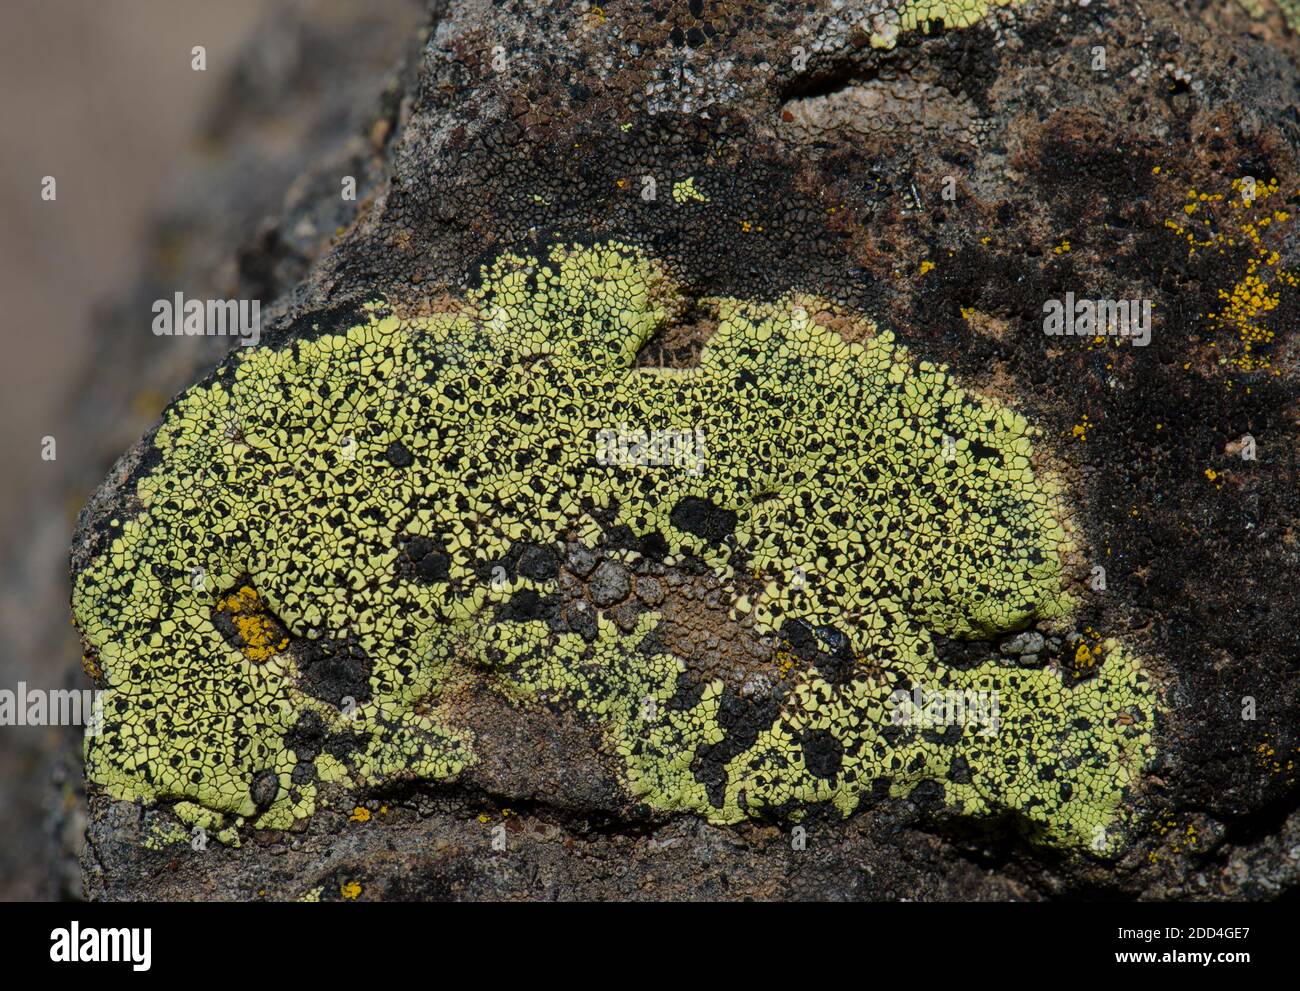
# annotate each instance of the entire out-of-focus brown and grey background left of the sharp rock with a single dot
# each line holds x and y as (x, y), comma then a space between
(167, 180)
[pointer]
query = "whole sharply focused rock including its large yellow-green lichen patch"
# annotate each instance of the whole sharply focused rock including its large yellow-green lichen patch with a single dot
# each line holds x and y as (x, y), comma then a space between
(678, 685)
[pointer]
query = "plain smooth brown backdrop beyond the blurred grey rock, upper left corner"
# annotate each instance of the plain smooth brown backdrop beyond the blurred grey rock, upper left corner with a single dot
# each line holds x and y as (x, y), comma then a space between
(101, 97)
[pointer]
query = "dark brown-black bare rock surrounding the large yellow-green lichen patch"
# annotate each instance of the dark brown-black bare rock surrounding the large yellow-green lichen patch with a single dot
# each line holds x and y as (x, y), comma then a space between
(950, 184)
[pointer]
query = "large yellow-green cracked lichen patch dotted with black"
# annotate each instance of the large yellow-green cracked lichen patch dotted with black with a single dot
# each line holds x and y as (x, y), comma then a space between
(397, 497)
